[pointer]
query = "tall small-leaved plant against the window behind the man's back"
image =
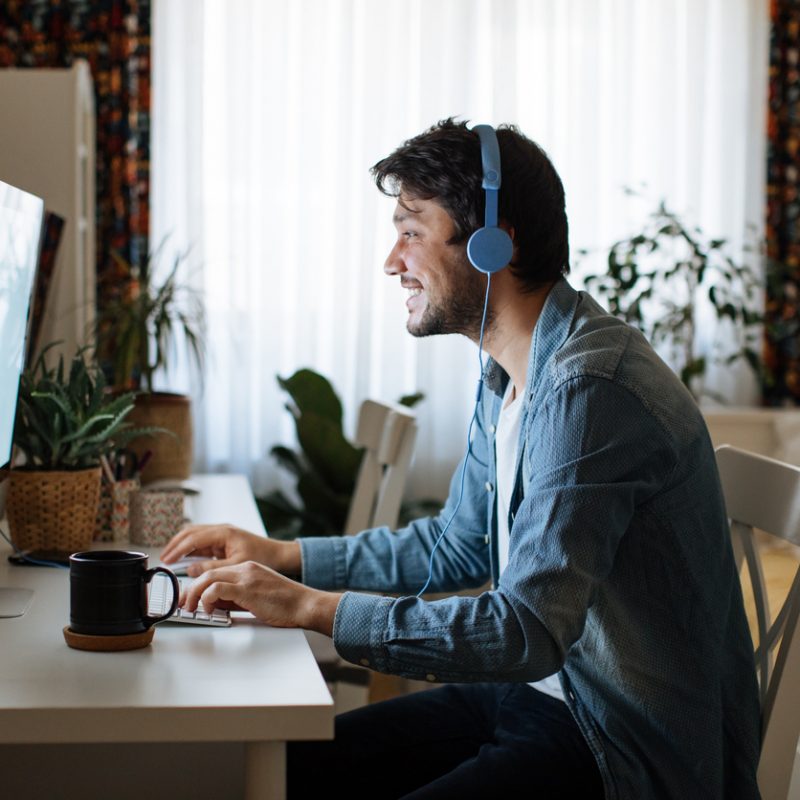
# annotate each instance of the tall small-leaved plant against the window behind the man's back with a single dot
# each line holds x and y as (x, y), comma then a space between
(659, 278)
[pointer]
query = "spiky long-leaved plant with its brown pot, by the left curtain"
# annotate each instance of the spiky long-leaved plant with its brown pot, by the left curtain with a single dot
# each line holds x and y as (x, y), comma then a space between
(137, 334)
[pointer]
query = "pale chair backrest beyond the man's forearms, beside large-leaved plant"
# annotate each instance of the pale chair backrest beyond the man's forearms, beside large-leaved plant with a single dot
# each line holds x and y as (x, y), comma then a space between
(387, 434)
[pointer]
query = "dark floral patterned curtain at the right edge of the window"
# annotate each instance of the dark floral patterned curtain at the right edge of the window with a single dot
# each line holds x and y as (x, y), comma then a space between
(782, 350)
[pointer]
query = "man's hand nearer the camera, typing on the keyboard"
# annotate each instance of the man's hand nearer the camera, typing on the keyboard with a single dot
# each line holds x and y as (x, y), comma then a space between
(271, 597)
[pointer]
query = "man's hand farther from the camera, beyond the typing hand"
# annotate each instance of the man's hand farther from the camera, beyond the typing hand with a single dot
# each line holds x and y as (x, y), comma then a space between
(226, 545)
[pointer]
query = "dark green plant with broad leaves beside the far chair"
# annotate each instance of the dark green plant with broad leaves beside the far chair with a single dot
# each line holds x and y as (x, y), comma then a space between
(325, 469)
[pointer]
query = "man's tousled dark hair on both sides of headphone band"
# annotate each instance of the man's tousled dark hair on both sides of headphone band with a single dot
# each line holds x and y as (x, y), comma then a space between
(444, 164)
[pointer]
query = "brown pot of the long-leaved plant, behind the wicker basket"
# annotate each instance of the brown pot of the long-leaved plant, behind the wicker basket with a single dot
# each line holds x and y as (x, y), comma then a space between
(172, 455)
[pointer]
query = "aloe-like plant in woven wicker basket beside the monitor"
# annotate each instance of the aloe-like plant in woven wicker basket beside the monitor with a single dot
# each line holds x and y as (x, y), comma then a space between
(65, 422)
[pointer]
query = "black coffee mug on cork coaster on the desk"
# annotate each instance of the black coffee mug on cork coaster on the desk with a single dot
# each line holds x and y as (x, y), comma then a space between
(108, 592)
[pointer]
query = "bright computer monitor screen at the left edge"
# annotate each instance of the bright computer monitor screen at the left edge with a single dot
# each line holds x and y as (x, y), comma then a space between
(21, 217)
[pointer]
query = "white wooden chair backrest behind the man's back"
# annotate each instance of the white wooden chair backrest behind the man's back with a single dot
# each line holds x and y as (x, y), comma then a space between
(764, 494)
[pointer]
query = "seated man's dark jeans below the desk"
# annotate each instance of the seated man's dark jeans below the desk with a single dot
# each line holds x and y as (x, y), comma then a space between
(460, 741)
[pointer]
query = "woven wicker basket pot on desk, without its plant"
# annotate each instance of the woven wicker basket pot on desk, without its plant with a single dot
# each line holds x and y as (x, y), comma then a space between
(51, 510)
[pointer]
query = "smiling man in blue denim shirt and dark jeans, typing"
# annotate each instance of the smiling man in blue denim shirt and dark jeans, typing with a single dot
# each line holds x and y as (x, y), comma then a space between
(589, 496)
